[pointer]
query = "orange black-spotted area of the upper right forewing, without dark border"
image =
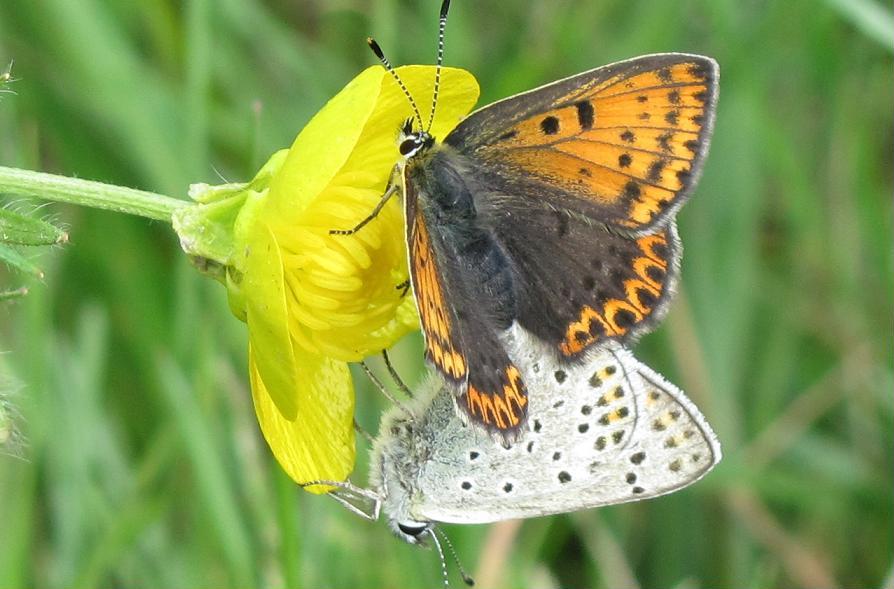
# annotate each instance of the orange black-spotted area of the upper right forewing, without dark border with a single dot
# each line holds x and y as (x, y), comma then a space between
(630, 140)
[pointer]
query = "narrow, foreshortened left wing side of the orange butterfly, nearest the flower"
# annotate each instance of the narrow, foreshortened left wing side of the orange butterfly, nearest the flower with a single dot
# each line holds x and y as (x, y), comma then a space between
(460, 338)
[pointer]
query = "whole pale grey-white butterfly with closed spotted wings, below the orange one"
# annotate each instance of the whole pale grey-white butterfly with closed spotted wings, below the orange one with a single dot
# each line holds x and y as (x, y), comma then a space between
(607, 431)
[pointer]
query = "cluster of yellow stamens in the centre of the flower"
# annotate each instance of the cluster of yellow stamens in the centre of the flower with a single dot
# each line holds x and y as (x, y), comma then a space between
(343, 288)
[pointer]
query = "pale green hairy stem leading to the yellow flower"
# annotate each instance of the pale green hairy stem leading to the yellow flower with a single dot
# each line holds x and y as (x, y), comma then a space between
(88, 193)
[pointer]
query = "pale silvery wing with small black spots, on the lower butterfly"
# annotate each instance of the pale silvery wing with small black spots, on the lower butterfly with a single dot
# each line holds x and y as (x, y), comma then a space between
(618, 433)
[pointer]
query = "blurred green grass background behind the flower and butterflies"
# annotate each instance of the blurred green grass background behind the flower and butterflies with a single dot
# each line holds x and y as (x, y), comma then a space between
(144, 463)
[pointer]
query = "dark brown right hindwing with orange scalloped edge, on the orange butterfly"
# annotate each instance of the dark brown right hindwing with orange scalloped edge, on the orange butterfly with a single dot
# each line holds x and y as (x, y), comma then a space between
(578, 284)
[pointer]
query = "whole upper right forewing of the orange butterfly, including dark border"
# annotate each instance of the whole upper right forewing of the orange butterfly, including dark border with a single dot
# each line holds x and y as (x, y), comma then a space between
(621, 144)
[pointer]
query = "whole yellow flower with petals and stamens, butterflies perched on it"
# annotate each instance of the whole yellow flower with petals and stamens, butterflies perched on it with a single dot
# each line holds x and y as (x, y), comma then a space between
(314, 301)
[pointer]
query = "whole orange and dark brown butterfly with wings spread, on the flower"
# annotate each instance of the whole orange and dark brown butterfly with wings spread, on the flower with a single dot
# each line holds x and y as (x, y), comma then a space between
(552, 211)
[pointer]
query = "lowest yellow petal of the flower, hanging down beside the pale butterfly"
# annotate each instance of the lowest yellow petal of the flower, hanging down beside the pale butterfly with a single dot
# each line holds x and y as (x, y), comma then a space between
(319, 443)
